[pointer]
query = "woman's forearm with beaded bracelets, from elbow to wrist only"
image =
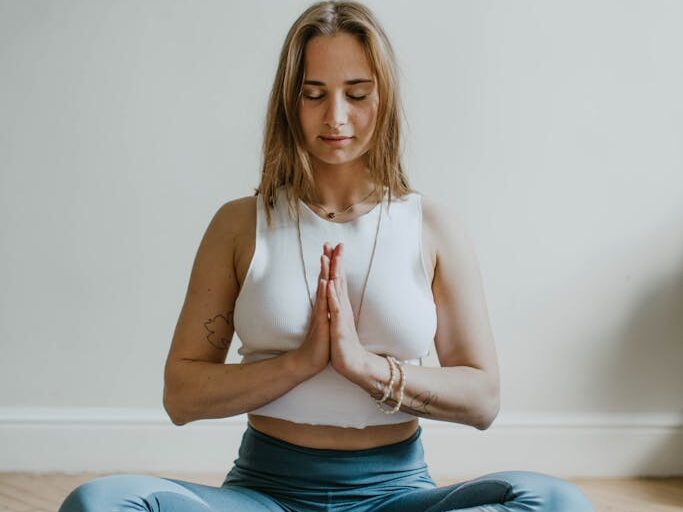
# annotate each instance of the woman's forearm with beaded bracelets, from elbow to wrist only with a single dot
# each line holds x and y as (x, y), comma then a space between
(459, 394)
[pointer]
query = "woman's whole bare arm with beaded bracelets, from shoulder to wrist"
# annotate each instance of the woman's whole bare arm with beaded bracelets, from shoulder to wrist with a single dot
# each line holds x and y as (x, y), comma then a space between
(466, 388)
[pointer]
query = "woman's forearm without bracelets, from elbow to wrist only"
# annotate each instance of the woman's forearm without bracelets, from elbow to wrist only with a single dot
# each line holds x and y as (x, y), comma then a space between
(197, 390)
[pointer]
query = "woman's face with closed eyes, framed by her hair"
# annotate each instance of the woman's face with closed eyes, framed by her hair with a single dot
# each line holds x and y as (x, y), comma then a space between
(339, 98)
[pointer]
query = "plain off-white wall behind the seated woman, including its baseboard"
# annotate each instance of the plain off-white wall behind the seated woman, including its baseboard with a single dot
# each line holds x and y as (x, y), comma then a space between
(554, 129)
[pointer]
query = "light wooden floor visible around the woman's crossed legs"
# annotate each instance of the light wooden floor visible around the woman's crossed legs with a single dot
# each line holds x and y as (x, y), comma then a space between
(30, 492)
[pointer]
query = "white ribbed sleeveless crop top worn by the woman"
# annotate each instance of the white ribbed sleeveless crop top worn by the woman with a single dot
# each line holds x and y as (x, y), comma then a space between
(398, 315)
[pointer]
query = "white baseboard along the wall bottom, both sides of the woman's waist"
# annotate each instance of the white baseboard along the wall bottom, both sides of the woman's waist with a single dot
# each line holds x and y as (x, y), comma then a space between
(38, 439)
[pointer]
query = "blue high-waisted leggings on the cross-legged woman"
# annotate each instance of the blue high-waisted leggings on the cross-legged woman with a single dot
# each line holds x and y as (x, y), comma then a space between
(274, 475)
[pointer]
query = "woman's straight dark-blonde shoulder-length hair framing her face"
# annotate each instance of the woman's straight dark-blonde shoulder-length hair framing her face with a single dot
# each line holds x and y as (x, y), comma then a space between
(285, 160)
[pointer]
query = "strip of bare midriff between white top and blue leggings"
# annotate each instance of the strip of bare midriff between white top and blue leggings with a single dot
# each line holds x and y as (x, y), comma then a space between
(332, 437)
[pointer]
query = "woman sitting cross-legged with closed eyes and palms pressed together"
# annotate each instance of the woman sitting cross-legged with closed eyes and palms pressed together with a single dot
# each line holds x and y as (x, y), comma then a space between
(331, 373)
